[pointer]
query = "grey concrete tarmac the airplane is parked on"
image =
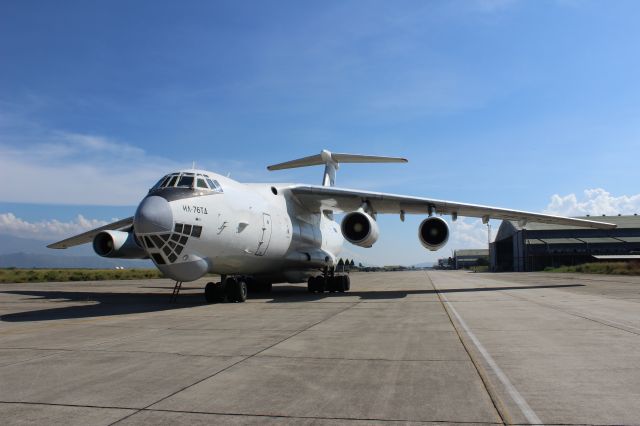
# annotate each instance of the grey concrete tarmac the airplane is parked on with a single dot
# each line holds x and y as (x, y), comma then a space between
(399, 348)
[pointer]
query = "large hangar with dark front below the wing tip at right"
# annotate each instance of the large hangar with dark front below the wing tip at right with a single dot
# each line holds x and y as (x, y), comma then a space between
(539, 245)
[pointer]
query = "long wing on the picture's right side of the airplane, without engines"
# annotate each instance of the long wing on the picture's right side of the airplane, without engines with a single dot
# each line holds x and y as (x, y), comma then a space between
(317, 198)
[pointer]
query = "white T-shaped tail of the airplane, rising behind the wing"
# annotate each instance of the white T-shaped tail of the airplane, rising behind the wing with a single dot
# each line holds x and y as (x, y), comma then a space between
(331, 161)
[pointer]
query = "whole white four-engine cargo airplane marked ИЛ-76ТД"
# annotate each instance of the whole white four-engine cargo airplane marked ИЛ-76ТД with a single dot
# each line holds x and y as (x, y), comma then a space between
(194, 222)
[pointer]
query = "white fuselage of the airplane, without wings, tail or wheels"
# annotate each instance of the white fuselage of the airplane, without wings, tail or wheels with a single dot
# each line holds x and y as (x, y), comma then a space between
(257, 230)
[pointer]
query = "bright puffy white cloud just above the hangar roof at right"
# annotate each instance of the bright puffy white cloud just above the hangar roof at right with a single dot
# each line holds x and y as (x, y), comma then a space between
(594, 202)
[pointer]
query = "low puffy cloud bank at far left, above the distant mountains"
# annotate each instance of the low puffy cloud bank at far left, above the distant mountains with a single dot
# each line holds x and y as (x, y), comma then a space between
(47, 229)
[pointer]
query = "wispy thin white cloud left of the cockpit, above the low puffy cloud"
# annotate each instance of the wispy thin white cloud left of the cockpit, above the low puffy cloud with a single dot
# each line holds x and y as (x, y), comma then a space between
(72, 168)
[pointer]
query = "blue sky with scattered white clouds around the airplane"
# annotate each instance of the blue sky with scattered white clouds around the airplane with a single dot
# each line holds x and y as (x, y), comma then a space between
(530, 105)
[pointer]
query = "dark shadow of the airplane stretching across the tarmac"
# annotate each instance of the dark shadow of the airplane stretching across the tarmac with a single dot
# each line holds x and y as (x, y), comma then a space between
(105, 304)
